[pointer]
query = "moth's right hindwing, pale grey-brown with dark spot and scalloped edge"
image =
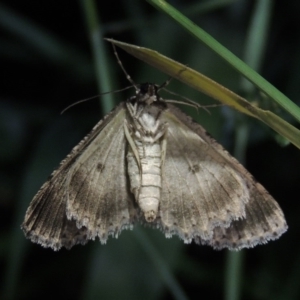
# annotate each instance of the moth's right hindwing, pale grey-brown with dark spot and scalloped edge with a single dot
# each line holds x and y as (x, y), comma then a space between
(200, 189)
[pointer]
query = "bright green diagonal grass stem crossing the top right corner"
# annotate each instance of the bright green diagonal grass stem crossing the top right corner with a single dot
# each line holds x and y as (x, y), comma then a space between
(234, 61)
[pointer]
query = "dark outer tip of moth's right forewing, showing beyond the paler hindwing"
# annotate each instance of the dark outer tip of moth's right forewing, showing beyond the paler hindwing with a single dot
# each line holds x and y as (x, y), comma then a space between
(264, 222)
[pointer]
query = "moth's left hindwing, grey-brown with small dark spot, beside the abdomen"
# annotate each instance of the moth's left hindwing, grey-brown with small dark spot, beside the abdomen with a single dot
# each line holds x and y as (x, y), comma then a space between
(99, 198)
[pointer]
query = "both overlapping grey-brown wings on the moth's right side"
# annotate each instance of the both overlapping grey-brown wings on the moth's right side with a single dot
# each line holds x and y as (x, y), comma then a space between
(207, 195)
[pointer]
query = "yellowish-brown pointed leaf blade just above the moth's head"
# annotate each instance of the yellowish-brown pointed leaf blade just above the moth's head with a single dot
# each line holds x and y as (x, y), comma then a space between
(211, 88)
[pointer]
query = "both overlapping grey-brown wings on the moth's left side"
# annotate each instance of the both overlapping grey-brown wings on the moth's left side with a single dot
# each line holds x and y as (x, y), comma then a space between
(87, 195)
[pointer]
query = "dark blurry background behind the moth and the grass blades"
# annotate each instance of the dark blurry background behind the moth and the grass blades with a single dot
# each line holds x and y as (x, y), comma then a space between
(46, 64)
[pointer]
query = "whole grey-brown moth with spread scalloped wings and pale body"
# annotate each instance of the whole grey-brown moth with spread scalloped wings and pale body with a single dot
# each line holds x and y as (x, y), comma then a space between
(149, 162)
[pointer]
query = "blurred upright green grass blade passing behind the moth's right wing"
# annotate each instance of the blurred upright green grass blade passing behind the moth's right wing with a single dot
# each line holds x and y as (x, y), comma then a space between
(253, 55)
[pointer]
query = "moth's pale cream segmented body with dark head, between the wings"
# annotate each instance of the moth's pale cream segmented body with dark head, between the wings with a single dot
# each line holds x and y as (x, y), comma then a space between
(146, 135)
